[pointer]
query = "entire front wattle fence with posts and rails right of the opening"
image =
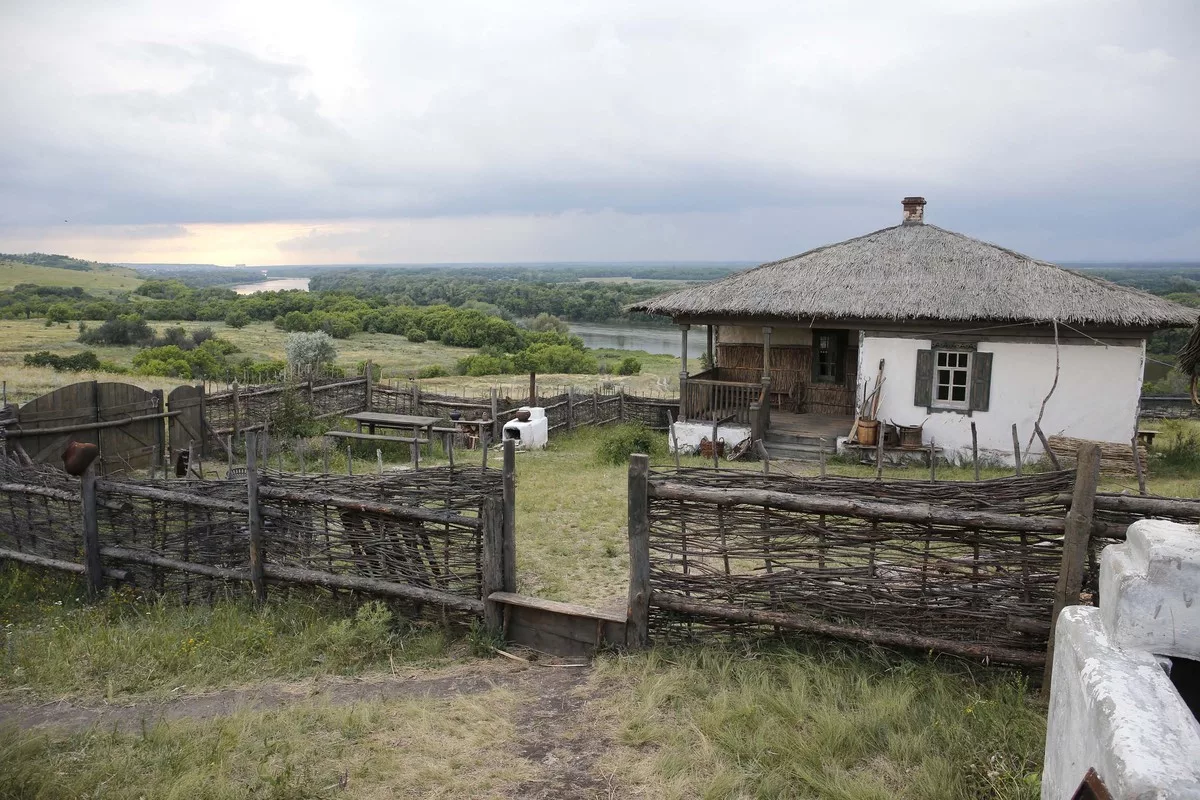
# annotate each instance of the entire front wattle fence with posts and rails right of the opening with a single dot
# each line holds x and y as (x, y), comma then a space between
(973, 569)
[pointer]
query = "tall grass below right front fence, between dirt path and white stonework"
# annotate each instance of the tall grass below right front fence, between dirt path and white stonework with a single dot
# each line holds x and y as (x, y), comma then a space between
(830, 723)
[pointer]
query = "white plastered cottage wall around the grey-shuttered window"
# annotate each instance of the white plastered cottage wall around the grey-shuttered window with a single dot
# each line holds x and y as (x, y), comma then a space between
(1096, 396)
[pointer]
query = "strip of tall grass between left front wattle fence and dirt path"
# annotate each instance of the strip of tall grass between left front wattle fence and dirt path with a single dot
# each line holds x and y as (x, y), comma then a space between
(52, 643)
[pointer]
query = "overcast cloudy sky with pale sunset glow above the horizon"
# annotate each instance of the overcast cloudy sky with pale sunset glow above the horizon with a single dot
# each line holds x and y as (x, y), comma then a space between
(353, 133)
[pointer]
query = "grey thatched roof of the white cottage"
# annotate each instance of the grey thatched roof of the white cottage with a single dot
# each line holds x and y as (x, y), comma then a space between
(921, 273)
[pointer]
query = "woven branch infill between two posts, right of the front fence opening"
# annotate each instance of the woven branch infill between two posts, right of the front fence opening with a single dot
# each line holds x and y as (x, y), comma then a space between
(989, 590)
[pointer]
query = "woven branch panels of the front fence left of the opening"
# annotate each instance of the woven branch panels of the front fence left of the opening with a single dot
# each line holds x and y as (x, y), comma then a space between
(191, 539)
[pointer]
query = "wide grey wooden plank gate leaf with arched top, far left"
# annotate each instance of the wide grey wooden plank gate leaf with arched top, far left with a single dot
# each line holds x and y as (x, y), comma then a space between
(124, 420)
